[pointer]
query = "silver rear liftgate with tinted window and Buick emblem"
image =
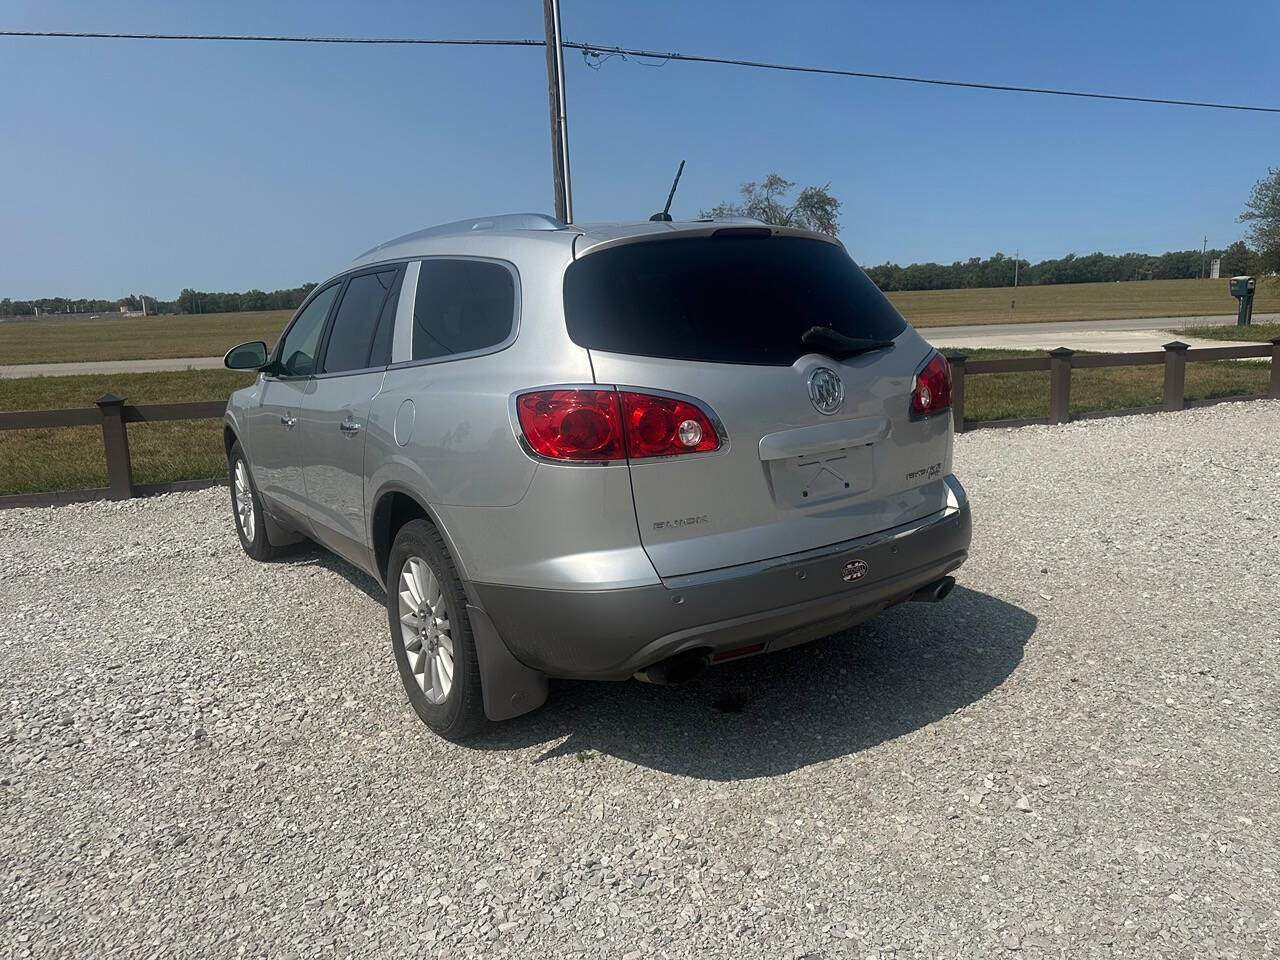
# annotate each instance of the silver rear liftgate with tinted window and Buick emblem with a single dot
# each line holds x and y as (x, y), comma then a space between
(720, 318)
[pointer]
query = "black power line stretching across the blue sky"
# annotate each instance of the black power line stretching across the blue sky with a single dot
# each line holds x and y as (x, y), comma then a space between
(600, 51)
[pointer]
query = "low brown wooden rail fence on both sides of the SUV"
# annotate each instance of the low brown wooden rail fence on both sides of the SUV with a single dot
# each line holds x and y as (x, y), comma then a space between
(113, 413)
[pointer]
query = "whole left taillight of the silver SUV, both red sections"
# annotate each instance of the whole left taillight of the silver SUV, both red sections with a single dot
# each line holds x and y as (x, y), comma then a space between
(602, 426)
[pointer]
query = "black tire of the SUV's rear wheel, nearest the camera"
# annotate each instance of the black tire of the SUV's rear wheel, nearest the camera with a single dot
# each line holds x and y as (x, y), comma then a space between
(460, 715)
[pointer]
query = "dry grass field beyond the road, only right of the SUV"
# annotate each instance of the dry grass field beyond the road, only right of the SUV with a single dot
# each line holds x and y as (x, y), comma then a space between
(1078, 301)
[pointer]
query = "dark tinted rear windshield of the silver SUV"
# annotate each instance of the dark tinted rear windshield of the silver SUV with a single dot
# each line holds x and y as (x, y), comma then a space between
(725, 300)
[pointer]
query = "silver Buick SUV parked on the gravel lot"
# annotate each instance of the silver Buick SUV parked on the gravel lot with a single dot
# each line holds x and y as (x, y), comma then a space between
(601, 451)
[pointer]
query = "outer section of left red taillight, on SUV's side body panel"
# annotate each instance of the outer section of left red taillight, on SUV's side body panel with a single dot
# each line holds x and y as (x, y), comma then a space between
(573, 424)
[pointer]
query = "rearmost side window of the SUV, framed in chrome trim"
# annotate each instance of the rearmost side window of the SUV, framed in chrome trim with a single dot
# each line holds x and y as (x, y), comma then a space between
(461, 307)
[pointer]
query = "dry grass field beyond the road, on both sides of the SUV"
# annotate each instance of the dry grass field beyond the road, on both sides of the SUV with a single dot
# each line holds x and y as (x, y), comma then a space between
(213, 335)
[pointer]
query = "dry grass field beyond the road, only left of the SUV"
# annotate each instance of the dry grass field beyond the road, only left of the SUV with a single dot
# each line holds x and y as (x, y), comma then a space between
(79, 339)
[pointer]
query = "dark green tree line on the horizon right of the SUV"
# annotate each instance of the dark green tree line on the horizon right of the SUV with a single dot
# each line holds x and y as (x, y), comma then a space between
(1091, 268)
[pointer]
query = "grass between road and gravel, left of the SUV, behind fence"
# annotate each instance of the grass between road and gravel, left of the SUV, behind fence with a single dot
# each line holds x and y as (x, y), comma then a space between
(71, 458)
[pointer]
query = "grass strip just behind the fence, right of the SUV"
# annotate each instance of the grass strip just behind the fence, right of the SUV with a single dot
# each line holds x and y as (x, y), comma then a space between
(1026, 396)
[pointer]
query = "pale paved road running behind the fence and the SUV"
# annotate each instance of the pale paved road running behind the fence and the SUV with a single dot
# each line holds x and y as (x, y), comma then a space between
(1109, 336)
